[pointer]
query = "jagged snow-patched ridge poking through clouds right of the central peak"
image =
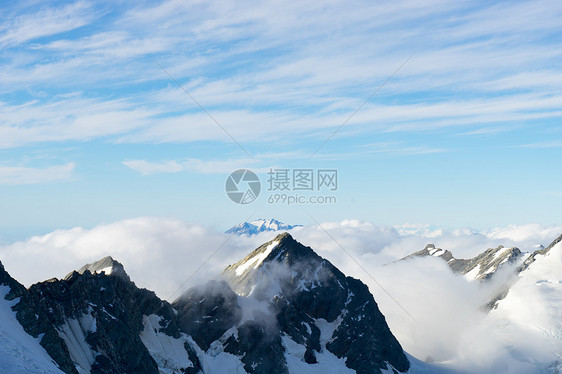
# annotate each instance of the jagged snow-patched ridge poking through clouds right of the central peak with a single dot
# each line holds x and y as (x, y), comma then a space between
(481, 267)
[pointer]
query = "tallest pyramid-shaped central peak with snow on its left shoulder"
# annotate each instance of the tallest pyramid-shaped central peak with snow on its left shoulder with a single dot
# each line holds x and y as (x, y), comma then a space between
(319, 312)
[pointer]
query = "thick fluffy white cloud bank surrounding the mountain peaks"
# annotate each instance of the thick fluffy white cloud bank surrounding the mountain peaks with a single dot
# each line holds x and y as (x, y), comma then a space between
(435, 314)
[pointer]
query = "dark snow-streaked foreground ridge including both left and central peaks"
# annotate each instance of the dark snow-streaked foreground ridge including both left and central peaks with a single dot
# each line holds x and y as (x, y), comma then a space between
(300, 315)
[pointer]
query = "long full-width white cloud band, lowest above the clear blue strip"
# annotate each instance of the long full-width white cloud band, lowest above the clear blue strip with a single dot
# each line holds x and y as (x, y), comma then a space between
(78, 118)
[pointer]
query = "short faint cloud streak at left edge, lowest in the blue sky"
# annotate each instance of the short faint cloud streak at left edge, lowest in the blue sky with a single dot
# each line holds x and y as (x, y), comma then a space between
(21, 175)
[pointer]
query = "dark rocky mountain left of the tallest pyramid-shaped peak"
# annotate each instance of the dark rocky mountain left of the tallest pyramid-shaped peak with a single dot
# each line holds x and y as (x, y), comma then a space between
(115, 304)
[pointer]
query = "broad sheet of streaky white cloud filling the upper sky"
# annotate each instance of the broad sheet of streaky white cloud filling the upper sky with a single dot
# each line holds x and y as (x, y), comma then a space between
(284, 87)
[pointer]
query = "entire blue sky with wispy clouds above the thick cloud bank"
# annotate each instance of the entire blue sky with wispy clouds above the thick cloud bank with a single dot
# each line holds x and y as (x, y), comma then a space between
(92, 130)
